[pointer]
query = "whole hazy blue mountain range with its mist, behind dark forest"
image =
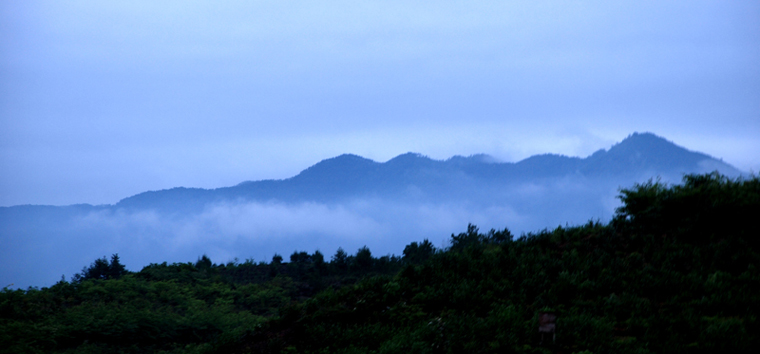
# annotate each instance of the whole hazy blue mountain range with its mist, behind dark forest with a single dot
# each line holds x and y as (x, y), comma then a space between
(347, 201)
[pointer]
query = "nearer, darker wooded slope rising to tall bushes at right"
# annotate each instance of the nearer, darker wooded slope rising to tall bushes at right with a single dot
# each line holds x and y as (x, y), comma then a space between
(676, 271)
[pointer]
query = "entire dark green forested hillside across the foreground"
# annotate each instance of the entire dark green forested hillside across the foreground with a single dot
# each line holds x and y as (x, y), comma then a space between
(674, 271)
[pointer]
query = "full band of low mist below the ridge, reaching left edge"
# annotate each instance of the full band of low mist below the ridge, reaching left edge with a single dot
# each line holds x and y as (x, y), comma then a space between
(61, 243)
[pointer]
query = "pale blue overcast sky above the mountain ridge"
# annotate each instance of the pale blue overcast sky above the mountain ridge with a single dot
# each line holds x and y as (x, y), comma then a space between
(100, 100)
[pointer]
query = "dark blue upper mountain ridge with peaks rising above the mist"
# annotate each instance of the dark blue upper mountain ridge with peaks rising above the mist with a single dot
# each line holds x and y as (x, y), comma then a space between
(351, 176)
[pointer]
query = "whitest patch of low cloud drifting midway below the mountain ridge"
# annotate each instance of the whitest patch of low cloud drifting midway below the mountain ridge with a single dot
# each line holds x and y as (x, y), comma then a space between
(258, 230)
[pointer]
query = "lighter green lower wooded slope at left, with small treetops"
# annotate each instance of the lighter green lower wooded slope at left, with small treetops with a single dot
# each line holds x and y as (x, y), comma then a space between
(180, 308)
